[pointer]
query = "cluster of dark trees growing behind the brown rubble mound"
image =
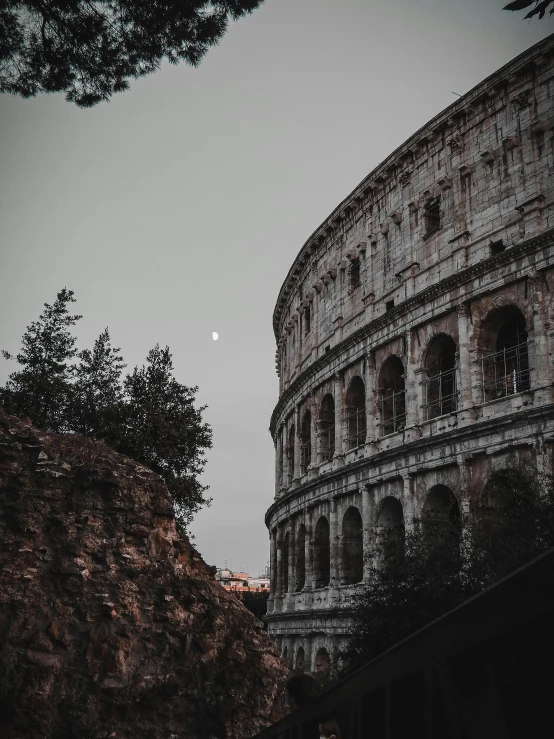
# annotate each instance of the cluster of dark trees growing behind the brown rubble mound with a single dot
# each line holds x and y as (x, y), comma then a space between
(146, 414)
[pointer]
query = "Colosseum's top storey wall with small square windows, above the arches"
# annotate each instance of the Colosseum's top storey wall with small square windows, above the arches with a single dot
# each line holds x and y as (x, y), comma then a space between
(442, 202)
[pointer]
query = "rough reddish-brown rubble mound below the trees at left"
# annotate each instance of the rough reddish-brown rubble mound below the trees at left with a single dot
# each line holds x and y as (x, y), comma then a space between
(111, 625)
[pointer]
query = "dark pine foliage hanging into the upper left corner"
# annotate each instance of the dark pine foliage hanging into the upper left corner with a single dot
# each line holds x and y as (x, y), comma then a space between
(89, 49)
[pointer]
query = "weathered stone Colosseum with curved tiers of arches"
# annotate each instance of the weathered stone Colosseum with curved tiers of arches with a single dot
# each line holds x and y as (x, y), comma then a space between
(415, 345)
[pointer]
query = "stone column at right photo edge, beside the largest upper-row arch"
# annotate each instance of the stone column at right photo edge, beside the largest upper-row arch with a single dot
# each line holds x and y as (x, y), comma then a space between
(539, 358)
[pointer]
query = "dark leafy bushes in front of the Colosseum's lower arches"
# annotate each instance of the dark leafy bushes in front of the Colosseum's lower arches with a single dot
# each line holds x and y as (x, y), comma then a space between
(437, 568)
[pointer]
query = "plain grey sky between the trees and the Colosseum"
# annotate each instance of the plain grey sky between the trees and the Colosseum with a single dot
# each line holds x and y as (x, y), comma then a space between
(177, 209)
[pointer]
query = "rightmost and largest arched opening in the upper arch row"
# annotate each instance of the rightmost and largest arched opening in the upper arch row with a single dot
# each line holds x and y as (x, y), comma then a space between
(505, 361)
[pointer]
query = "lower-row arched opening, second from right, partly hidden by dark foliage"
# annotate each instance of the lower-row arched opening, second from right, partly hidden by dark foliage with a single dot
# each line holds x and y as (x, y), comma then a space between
(442, 524)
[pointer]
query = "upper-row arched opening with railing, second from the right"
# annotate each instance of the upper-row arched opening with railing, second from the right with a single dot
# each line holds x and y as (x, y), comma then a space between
(440, 385)
